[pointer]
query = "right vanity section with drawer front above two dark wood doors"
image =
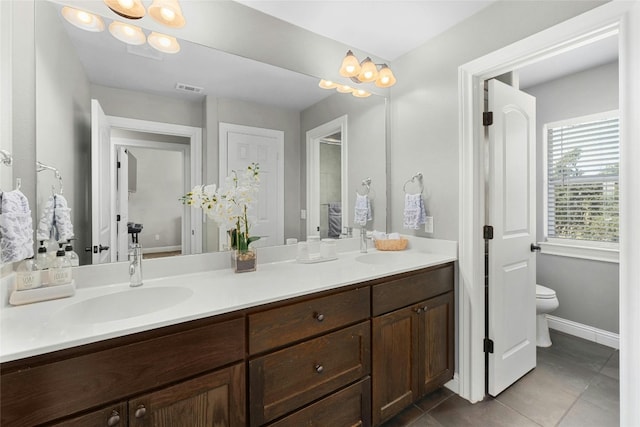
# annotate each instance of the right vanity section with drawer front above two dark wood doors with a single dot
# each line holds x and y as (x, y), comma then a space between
(413, 347)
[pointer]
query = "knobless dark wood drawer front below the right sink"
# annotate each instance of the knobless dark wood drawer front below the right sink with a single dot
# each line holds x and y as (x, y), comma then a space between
(412, 288)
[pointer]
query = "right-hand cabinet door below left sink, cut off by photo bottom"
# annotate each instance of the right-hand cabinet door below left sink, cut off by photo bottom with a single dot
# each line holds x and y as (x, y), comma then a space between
(216, 399)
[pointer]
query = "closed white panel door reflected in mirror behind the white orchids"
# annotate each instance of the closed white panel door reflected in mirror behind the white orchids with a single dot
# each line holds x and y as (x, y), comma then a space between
(243, 145)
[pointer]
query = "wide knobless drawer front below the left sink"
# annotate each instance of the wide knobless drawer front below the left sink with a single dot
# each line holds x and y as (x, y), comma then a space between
(61, 387)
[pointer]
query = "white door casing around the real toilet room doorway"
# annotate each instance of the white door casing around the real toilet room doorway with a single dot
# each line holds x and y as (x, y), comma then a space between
(600, 23)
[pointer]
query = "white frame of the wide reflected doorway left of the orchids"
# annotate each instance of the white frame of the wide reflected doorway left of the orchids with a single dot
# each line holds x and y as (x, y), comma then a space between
(192, 218)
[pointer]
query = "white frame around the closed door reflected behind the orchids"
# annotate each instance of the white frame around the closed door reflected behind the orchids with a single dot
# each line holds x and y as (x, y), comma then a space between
(223, 169)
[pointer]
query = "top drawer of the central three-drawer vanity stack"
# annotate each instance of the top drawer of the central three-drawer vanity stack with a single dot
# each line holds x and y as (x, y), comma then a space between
(283, 325)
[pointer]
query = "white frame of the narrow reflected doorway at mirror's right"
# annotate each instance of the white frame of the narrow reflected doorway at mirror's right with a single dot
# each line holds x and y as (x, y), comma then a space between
(313, 170)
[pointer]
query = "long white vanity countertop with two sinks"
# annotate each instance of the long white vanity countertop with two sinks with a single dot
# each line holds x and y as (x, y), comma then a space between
(47, 326)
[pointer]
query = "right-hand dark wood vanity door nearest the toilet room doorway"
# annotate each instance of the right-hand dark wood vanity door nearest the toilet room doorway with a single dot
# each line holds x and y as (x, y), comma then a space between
(436, 342)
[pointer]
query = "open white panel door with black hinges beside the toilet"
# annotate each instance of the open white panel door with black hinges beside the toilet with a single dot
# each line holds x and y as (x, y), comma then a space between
(511, 211)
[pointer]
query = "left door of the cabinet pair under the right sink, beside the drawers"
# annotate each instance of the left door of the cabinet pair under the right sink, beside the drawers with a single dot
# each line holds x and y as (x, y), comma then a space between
(395, 357)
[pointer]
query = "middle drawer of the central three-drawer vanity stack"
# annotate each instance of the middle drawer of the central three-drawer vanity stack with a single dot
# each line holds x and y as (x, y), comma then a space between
(285, 380)
